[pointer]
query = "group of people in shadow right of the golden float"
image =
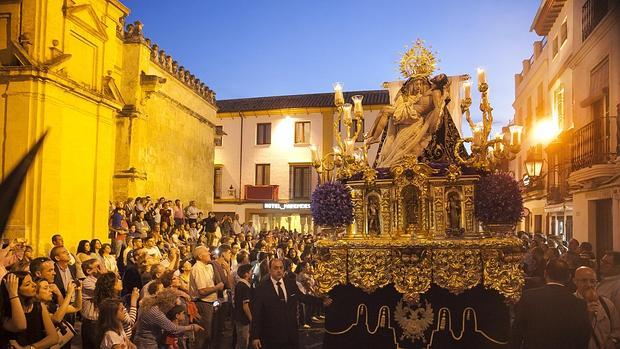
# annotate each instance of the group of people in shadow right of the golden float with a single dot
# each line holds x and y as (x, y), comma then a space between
(571, 298)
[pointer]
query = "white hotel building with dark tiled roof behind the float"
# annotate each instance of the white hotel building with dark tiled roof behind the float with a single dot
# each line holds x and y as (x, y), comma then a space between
(263, 160)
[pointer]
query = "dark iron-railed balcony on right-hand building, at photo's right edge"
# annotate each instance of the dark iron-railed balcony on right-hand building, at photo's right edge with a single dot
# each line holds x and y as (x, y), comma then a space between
(592, 144)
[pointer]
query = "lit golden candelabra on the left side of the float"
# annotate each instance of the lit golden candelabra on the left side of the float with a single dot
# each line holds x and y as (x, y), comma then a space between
(346, 159)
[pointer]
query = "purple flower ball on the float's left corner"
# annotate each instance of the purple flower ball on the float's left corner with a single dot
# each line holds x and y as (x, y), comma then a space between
(332, 205)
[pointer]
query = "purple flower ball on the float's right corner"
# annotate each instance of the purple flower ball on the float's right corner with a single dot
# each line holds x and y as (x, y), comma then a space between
(498, 199)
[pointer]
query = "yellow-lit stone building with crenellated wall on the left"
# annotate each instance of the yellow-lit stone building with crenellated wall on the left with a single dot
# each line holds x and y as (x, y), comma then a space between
(125, 119)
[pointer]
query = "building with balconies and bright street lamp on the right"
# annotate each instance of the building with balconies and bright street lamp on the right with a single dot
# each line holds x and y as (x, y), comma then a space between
(567, 97)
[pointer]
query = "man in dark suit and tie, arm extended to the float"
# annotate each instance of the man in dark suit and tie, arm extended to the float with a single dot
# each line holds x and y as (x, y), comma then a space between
(274, 310)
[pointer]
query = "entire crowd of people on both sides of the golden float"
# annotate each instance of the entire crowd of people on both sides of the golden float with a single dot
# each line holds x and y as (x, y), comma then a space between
(168, 276)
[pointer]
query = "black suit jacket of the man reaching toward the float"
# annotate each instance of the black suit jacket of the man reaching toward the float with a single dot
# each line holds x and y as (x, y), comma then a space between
(275, 322)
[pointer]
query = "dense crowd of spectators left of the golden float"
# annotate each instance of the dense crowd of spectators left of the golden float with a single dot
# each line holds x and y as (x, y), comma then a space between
(169, 277)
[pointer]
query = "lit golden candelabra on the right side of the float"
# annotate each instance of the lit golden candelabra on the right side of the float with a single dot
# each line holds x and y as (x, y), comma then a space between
(486, 153)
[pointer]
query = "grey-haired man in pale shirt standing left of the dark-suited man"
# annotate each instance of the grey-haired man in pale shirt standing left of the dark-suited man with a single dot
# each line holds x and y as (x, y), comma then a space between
(202, 288)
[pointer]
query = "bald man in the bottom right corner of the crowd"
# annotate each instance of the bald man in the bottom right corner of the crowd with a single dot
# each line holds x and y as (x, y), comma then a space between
(603, 314)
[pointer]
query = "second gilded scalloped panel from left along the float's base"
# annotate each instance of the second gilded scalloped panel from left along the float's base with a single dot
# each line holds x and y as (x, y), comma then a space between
(369, 269)
